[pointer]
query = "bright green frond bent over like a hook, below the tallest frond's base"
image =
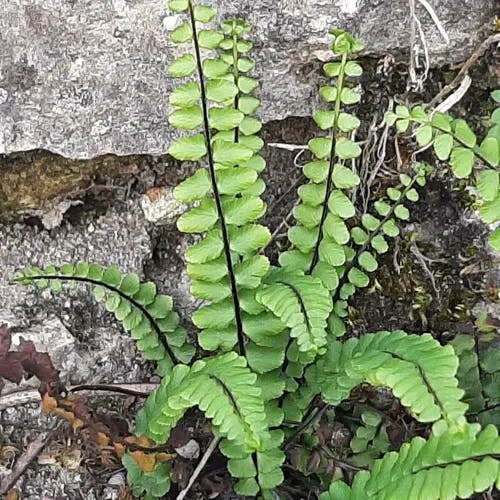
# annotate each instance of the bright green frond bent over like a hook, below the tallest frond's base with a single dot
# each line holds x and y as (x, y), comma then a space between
(222, 387)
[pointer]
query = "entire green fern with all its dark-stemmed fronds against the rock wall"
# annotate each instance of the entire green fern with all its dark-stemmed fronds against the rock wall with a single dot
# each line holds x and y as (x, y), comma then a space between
(270, 335)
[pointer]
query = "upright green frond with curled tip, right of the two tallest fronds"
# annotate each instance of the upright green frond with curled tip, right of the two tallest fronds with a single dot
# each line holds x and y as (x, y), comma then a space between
(321, 233)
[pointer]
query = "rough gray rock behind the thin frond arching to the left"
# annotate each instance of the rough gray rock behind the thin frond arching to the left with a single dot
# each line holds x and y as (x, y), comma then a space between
(86, 344)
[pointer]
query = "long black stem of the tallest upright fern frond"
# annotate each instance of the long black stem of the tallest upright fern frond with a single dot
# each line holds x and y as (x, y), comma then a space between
(215, 189)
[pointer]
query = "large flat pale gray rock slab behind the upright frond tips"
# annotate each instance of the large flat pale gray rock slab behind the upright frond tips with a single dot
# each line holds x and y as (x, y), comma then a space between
(88, 77)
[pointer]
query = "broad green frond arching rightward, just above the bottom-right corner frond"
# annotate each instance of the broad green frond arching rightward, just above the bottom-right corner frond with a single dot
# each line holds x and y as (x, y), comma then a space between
(420, 372)
